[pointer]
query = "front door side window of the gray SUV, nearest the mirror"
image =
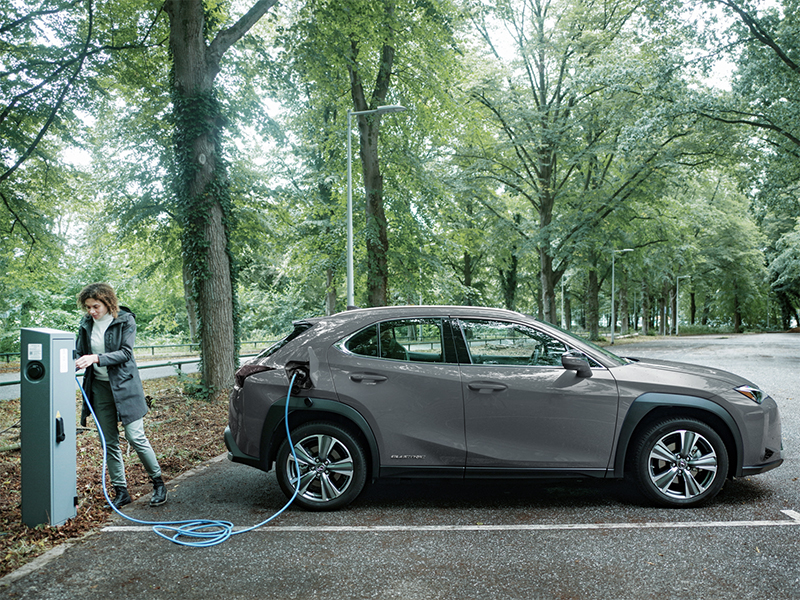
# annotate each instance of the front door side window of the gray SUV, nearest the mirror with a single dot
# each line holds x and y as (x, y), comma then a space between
(501, 343)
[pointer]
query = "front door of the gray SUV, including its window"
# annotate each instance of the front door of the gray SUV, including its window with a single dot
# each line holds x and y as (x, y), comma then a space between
(523, 410)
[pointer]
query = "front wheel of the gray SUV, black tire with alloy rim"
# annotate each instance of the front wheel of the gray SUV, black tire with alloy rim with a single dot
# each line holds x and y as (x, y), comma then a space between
(680, 463)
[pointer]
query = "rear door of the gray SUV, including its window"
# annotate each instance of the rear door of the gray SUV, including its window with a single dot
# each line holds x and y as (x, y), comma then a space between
(399, 376)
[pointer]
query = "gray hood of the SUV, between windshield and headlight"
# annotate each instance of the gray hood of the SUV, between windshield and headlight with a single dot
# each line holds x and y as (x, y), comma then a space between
(650, 374)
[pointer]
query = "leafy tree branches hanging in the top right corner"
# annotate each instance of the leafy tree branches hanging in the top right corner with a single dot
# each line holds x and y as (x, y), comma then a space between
(762, 102)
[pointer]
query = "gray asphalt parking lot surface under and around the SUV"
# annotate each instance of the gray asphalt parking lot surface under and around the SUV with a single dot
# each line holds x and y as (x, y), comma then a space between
(530, 540)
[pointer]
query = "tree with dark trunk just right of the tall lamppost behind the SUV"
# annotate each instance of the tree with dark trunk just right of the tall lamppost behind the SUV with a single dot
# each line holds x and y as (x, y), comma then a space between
(373, 53)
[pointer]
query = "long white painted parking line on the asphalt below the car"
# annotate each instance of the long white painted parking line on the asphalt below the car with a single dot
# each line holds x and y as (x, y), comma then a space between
(794, 519)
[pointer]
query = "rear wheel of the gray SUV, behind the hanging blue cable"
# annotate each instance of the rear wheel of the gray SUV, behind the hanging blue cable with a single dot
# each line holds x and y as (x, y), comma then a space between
(333, 466)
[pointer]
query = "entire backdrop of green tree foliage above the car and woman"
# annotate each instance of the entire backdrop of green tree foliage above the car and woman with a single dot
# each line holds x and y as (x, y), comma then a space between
(575, 134)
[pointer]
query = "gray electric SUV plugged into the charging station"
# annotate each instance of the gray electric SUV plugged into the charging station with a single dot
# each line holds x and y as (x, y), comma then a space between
(467, 392)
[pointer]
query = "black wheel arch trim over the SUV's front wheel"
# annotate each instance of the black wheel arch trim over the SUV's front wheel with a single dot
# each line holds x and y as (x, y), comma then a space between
(654, 406)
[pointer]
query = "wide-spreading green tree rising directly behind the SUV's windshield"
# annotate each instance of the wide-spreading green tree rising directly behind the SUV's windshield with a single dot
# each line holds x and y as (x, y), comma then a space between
(580, 125)
